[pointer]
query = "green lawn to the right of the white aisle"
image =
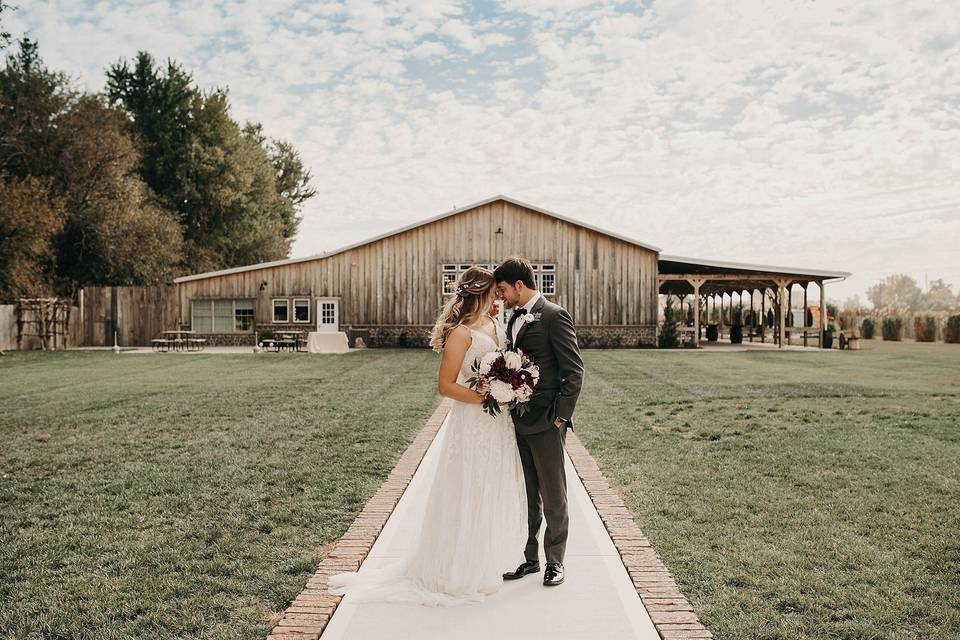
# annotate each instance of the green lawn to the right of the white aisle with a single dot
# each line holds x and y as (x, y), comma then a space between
(792, 495)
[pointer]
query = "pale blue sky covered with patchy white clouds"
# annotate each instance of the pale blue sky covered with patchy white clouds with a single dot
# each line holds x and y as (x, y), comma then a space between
(816, 134)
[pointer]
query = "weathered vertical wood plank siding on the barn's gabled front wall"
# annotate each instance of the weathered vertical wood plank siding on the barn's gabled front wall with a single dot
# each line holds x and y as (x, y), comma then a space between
(396, 280)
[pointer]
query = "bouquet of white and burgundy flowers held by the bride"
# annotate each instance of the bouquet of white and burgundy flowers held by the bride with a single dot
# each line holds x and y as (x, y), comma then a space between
(506, 378)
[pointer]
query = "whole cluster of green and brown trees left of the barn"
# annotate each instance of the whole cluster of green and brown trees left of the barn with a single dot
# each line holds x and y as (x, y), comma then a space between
(150, 180)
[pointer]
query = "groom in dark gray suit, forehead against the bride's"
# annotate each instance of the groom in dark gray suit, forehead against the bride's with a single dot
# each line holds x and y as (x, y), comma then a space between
(544, 331)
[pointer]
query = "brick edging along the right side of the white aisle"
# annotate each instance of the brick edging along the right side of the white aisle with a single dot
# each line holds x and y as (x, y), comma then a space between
(671, 613)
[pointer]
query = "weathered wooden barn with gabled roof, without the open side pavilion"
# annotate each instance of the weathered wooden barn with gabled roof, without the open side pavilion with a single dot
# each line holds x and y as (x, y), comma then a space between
(392, 286)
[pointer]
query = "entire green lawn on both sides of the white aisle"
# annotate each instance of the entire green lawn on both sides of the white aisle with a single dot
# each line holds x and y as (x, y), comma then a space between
(793, 495)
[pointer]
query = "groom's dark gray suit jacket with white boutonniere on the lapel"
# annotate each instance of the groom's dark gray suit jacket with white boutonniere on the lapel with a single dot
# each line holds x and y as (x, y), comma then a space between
(551, 342)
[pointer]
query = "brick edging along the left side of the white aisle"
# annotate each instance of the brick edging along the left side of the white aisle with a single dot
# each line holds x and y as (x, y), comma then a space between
(308, 614)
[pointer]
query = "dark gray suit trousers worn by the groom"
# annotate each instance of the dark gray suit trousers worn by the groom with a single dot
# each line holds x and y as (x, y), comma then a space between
(542, 456)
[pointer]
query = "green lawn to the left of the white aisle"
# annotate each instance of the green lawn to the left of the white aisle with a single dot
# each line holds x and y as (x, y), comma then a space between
(187, 496)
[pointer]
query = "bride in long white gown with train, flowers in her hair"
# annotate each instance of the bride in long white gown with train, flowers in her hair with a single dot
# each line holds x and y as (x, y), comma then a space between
(476, 513)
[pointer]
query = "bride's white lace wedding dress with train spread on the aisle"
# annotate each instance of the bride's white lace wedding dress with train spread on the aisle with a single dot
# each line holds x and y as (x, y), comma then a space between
(475, 521)
